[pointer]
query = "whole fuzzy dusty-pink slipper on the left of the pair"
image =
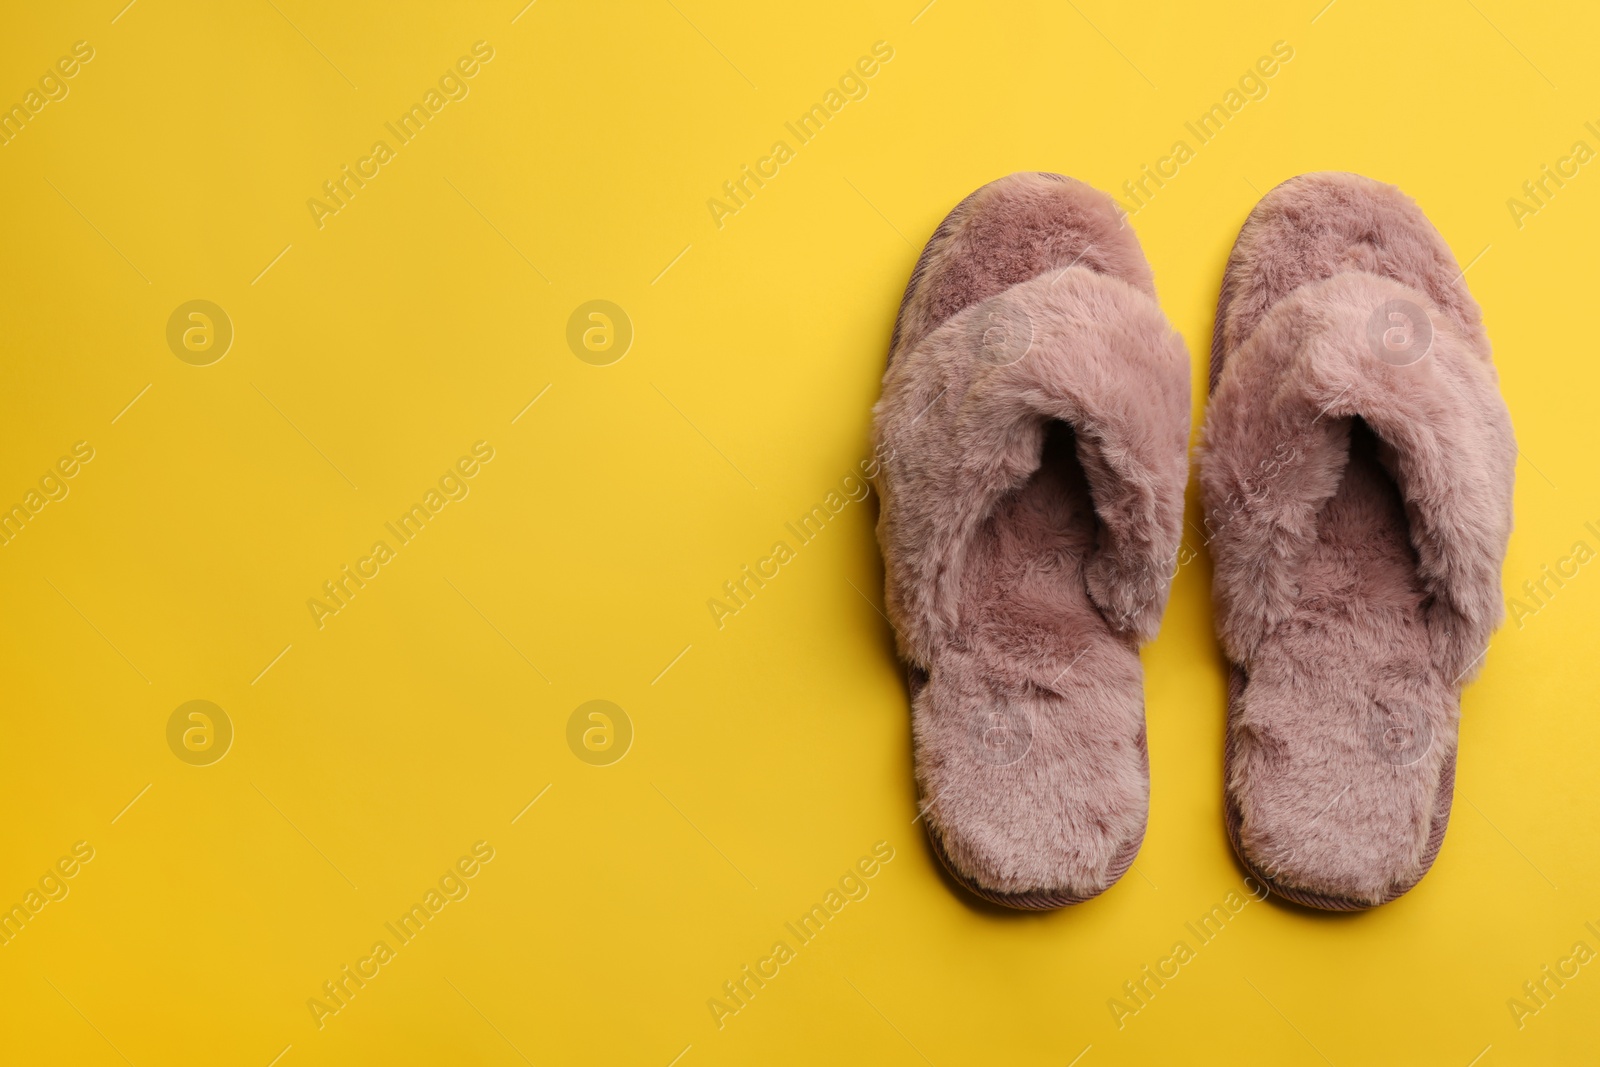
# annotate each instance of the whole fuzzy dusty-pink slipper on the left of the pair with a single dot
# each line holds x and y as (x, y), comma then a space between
(1033, 460)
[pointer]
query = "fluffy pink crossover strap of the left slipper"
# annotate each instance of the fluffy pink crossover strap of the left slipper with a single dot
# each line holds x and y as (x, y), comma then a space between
(962, 423)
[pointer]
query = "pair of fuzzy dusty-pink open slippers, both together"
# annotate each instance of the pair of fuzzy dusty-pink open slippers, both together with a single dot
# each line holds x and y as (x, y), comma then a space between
(1358, 478)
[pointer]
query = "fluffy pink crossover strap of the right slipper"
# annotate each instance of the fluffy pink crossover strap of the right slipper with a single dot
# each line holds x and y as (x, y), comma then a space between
(1278, 444)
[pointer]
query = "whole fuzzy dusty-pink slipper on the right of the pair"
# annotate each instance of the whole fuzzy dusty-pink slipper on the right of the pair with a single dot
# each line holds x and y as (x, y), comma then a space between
(1358, 470)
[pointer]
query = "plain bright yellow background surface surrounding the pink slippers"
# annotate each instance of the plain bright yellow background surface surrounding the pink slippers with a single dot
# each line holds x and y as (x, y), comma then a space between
(775, 751)
